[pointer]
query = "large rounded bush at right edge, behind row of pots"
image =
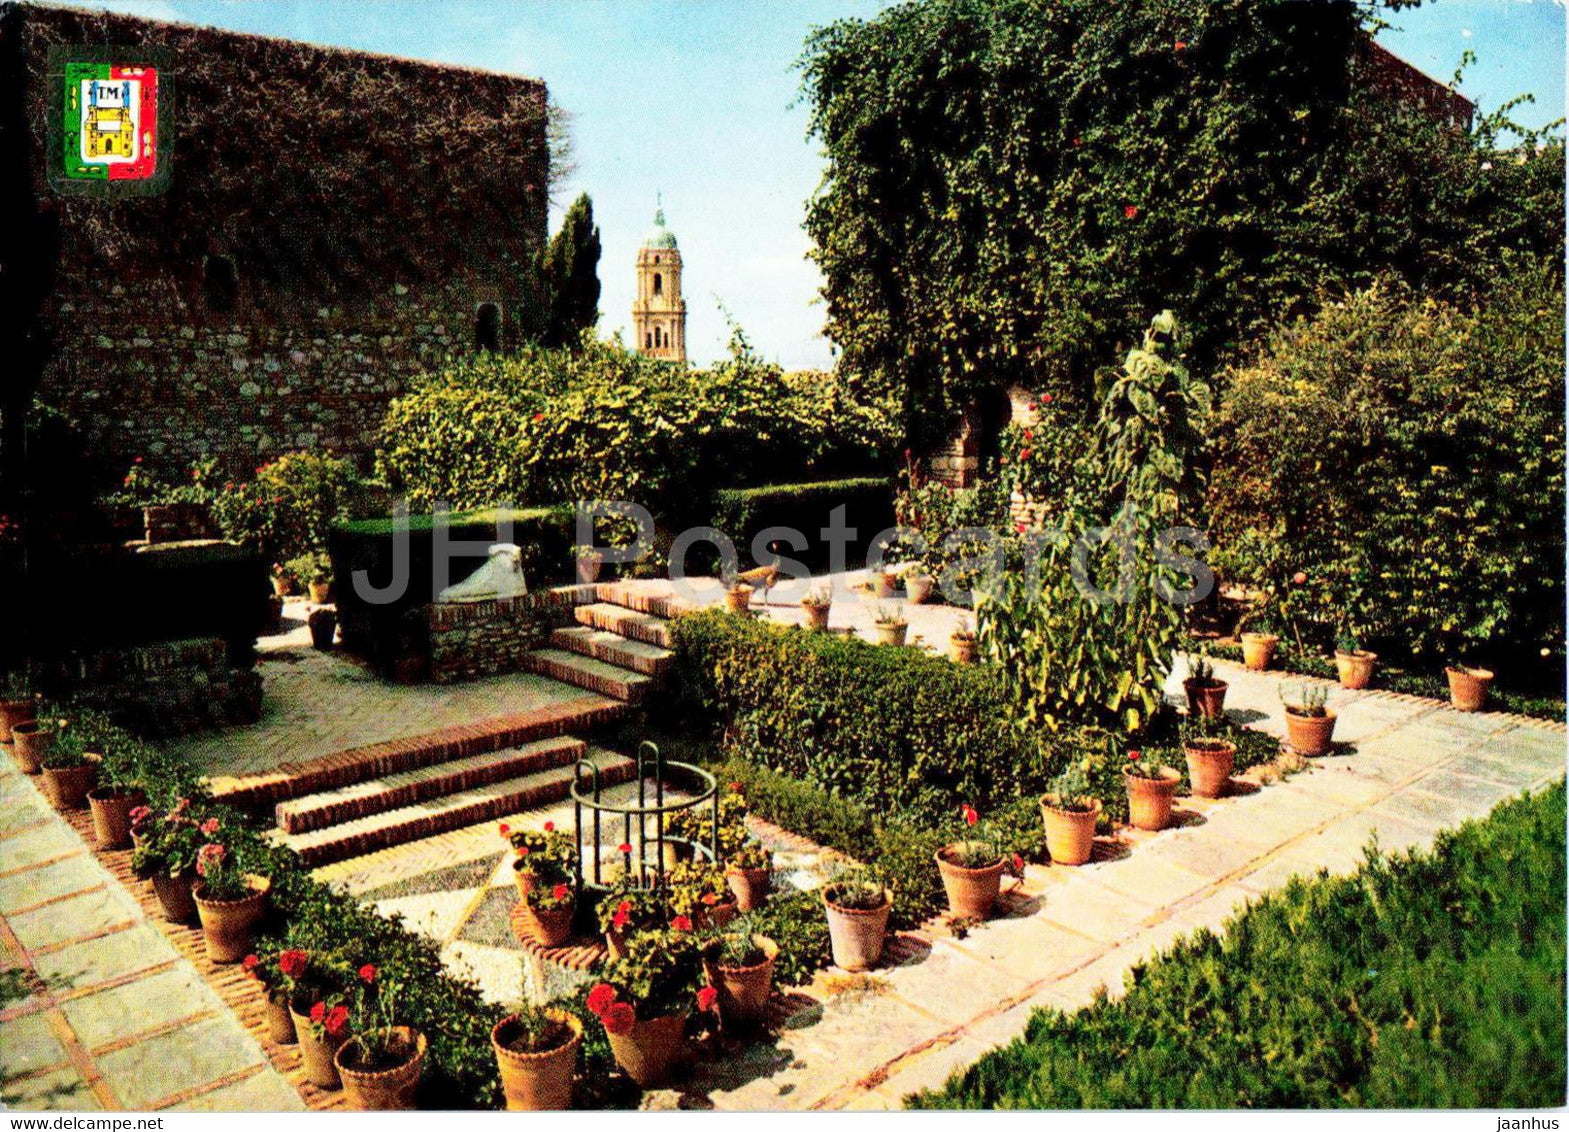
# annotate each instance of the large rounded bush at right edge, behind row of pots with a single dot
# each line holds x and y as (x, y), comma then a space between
(1392, 472)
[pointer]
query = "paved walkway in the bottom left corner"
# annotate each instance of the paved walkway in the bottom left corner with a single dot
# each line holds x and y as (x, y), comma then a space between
(117, 1017)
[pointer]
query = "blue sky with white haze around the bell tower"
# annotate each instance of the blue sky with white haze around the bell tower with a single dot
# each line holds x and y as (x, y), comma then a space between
(694, 100)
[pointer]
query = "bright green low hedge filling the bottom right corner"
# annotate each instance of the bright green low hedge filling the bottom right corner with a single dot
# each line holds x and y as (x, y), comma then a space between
(1425, 980)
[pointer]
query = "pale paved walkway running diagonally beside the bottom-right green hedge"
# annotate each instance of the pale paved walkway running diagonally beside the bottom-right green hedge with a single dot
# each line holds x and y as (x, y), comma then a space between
(1419, 767)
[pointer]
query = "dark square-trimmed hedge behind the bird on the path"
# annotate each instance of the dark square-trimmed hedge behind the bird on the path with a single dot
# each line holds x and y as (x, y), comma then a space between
(868, 509)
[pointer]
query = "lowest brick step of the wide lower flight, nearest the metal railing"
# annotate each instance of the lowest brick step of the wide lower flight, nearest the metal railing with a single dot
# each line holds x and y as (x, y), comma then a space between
(440, 816)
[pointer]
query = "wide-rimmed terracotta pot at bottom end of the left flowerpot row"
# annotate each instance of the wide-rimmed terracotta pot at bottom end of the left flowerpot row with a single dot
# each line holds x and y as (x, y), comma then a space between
(382, 1062)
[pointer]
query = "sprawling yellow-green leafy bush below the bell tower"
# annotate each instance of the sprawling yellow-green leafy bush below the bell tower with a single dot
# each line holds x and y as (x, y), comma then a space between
(610, 425)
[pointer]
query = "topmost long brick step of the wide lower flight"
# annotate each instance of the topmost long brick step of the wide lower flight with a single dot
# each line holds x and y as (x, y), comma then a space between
(344, 769)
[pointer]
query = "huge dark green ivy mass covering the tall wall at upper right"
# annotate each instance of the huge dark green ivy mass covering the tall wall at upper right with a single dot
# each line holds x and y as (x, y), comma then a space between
(1013, 186)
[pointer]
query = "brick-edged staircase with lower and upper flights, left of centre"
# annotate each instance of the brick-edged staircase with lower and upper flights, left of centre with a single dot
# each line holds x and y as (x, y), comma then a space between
(371, 798)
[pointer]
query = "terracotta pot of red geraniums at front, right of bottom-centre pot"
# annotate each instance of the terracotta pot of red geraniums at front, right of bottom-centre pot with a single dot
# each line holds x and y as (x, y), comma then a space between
(644, 1002)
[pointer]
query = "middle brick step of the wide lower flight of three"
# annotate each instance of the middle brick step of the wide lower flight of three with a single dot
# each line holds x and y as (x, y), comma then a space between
(398, 791)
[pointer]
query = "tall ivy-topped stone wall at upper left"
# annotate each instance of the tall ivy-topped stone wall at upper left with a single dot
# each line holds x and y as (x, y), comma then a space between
(337, 224)
